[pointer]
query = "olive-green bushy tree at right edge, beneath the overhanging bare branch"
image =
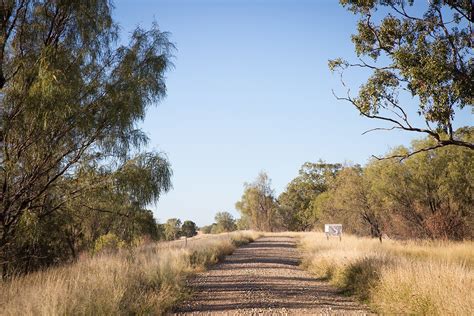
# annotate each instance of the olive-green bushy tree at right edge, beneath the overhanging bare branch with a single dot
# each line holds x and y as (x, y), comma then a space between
(431, 194)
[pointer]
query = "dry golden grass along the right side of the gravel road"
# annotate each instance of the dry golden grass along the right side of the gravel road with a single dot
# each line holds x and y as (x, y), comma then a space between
(415, 277)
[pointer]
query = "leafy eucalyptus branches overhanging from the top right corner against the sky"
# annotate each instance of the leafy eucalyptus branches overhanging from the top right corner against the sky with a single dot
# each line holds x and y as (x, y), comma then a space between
(419, 63)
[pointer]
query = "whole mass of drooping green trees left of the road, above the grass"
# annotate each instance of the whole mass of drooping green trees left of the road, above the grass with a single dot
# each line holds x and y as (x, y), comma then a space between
(71, 100)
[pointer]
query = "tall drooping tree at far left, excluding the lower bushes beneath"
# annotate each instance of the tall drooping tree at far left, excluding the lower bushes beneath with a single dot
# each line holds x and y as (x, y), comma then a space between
(69, 90)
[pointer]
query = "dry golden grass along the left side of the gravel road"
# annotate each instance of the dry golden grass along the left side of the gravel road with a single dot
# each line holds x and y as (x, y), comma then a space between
(149, 280)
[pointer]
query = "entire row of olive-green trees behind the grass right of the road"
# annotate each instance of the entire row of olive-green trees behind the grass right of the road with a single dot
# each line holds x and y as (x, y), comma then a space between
(427, 195)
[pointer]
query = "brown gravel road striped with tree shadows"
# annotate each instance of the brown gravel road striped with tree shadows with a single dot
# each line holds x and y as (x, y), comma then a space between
(264, 278)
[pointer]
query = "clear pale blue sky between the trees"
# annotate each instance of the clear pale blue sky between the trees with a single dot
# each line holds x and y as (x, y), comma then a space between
(250, 91)
